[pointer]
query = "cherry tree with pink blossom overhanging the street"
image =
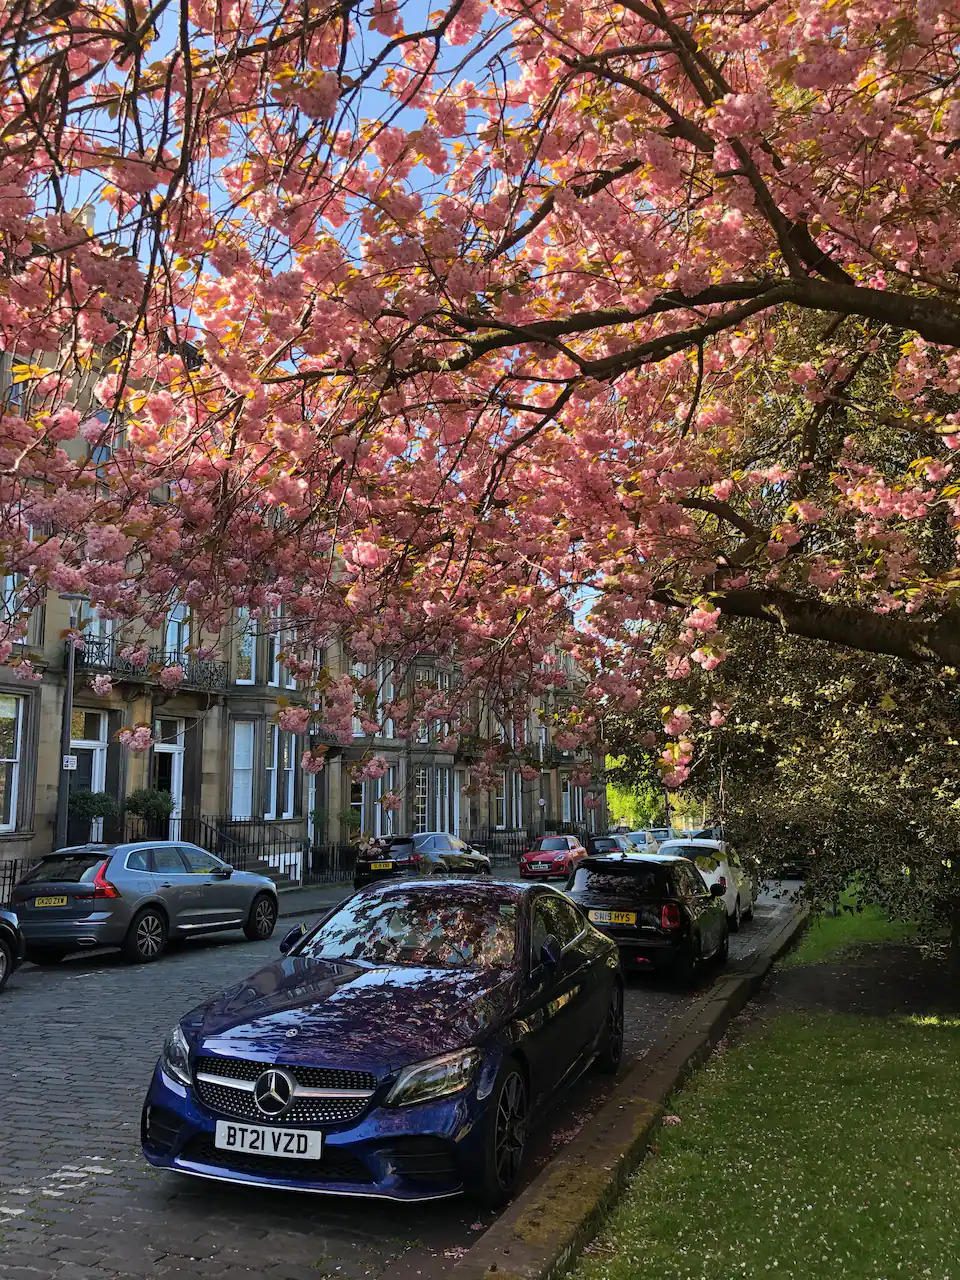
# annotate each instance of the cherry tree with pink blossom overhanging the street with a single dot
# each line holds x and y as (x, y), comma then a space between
(492, 332)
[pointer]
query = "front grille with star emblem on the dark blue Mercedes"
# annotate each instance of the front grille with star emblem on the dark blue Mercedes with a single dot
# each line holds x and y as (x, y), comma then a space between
(240, 1103)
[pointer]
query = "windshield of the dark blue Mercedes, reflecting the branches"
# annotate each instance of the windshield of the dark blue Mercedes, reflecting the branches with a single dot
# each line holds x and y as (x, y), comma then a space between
(437, 930)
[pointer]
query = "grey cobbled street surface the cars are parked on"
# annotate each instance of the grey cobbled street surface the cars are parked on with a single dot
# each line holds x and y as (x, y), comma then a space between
(77, 1201)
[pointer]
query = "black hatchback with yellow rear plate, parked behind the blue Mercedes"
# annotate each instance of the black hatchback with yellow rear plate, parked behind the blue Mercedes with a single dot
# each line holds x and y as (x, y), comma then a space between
(659, 911)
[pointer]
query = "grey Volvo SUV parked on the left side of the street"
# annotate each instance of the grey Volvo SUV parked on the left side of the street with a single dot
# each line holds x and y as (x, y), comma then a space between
(136, 897)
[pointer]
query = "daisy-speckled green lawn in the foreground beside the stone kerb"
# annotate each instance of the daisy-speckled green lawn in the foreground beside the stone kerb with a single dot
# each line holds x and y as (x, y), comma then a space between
(824, 1146)
